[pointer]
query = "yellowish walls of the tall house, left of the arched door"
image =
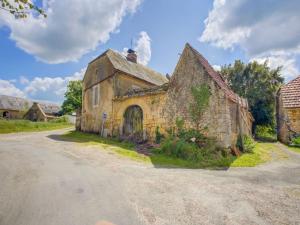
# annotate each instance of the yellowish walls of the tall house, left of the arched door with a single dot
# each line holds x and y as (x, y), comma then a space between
(109, 88)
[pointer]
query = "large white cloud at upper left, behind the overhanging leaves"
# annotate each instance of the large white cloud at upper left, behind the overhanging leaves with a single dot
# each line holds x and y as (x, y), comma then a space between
(71, 29)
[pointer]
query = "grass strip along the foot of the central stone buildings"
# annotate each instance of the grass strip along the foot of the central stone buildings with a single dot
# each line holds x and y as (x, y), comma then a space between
(263, 152)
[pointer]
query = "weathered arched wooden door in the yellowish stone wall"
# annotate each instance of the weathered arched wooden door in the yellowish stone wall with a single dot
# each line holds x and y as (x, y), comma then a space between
(133, 122)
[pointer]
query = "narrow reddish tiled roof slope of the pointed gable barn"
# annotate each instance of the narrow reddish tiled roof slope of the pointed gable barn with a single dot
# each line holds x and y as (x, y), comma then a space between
(218, 78)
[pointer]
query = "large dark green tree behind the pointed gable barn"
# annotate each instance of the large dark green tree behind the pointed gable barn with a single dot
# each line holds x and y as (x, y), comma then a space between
(259, 85)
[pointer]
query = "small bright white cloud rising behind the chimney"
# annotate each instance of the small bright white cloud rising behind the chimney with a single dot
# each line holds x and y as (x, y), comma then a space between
(142, 47)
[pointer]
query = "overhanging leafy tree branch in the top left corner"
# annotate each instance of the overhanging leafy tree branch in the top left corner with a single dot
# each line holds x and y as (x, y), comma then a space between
(20, 8)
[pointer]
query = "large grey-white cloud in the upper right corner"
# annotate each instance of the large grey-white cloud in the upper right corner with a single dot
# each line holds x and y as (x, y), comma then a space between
(263, 29)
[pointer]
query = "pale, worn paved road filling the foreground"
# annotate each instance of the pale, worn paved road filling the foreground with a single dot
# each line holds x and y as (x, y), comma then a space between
(44, 181)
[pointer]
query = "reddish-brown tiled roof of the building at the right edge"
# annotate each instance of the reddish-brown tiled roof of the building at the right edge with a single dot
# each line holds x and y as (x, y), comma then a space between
(291, 94)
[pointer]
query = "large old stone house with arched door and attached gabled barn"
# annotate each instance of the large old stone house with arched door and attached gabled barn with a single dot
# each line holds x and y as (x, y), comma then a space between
(123, 97)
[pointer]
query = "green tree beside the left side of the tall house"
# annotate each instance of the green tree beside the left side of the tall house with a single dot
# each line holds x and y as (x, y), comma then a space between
(73, 97)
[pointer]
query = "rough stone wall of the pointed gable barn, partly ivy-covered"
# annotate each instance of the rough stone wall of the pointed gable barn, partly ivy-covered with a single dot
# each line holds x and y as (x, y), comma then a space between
(219, 119)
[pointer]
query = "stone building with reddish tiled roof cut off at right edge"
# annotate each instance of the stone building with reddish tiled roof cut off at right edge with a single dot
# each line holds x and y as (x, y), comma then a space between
(288, 110)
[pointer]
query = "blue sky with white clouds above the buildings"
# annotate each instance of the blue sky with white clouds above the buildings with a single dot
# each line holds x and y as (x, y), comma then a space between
(39, 56)
